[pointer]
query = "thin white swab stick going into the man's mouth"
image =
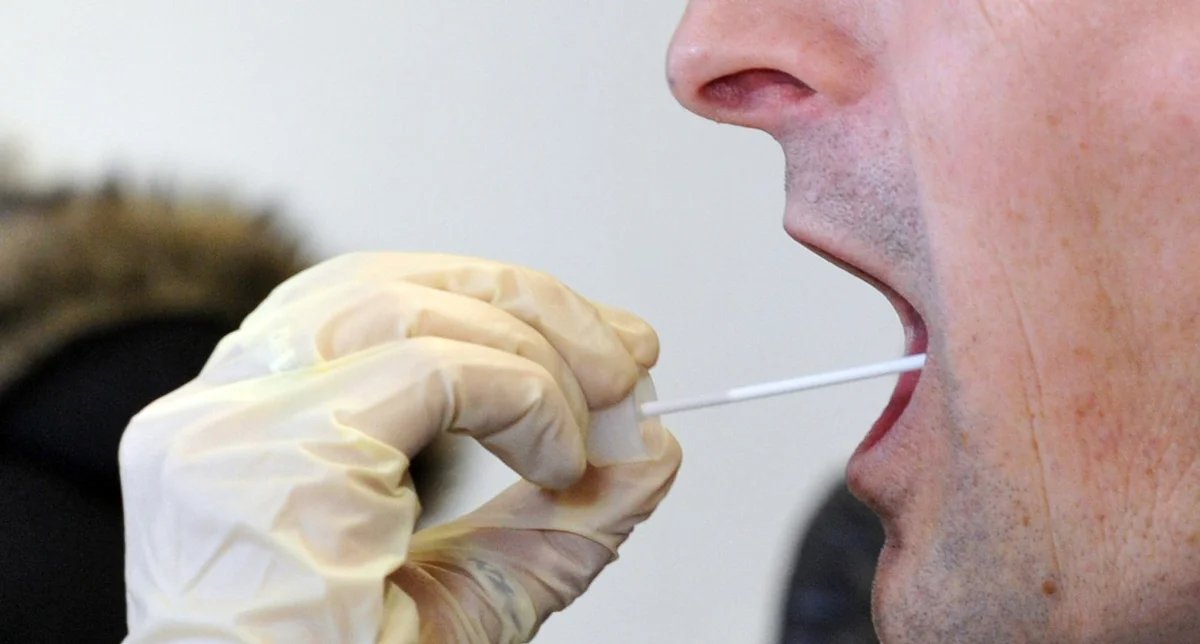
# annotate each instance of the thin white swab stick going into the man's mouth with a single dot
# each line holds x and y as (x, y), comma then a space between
(763, 390)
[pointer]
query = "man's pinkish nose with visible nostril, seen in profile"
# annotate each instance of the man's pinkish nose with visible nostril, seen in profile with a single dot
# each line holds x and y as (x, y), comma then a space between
(759, 64)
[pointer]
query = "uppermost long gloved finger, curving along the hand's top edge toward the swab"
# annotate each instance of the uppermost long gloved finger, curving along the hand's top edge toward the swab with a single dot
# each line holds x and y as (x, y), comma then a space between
(572, 324)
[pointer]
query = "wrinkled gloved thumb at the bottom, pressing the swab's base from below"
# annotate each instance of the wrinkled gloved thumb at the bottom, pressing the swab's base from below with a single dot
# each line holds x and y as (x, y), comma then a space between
(497, 574)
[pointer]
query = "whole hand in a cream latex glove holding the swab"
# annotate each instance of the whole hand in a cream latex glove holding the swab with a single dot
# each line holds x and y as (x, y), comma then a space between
(268, 499)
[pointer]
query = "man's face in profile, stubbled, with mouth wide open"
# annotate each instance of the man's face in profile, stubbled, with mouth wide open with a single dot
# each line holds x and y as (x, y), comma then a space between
(1023, 179)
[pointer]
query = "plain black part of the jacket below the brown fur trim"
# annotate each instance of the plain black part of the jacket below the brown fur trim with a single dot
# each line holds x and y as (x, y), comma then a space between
(62, 547)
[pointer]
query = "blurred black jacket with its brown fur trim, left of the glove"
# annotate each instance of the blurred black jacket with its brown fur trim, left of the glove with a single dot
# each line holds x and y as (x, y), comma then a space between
(106, 304)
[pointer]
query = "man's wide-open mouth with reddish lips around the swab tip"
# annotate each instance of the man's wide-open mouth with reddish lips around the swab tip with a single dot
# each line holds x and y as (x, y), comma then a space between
(916, 342)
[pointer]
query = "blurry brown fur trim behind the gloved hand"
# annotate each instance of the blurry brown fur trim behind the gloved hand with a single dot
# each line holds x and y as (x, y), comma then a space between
(73, 263)
